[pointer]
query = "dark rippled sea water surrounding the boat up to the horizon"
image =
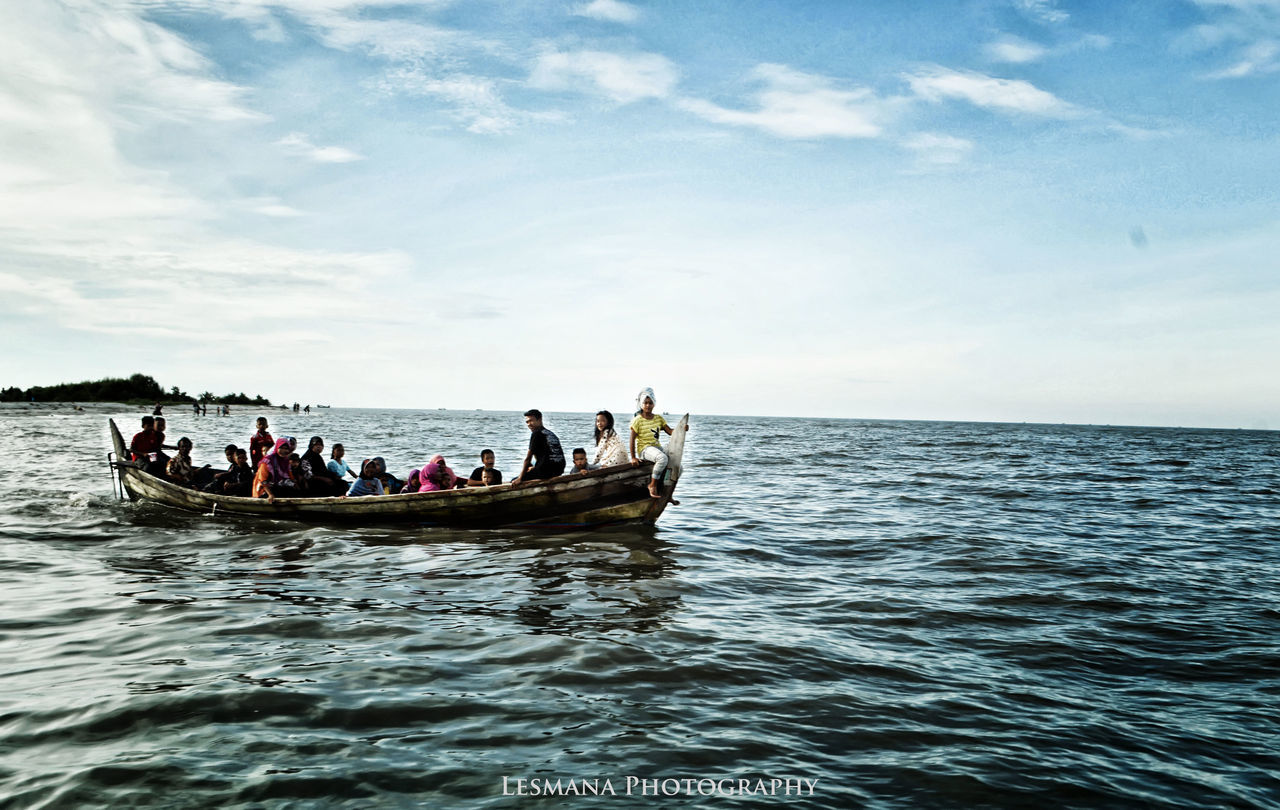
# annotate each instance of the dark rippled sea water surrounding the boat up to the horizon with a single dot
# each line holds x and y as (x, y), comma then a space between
(904, 614)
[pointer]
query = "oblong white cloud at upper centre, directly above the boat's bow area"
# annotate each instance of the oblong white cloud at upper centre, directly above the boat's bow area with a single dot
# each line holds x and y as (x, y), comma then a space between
(621, 77)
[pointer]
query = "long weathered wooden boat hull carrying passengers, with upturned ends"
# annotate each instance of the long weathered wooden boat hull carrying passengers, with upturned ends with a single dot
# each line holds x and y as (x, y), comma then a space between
(611, 496)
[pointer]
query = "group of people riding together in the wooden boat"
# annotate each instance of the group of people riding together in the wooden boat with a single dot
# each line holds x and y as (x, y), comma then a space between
(275, 469)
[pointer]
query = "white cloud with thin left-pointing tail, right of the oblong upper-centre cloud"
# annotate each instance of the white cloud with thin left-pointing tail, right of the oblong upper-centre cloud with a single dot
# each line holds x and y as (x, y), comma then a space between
(801, 106)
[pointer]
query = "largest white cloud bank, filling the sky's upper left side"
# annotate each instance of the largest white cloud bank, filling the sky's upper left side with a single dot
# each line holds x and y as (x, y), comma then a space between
(88, 230)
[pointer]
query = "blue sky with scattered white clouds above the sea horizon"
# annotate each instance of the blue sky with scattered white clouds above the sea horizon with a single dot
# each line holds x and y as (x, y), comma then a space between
(1005, 210)
